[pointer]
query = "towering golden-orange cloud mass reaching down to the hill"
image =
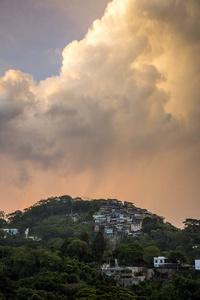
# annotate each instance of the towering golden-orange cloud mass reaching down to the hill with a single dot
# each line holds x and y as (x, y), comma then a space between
(122, 118)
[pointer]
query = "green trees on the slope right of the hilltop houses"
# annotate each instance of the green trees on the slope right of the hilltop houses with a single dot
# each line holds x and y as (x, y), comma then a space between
(167, 238)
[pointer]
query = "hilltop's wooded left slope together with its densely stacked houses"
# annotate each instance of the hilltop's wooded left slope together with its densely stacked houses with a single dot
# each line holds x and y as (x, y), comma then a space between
(64, 216)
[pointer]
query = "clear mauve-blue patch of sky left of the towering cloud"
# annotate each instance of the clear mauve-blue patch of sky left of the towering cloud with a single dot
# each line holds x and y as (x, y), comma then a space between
(30, 31)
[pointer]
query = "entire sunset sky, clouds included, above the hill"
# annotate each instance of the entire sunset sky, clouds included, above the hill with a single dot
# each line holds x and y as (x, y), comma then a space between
(101, 99)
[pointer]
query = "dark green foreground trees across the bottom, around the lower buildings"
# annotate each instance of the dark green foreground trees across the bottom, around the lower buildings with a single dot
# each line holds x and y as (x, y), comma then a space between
(68, 269)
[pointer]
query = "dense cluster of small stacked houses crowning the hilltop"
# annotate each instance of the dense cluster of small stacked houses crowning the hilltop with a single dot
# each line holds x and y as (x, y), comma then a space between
(117, 218)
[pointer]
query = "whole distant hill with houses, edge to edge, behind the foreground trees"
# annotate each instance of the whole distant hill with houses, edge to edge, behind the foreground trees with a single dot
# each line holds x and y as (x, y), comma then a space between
(63, 217)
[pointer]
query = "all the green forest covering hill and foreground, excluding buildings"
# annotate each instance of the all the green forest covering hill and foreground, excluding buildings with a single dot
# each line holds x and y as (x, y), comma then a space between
(61, 255)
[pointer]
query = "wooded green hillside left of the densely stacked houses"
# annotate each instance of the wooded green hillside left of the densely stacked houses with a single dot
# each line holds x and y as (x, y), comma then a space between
(52, 218)
